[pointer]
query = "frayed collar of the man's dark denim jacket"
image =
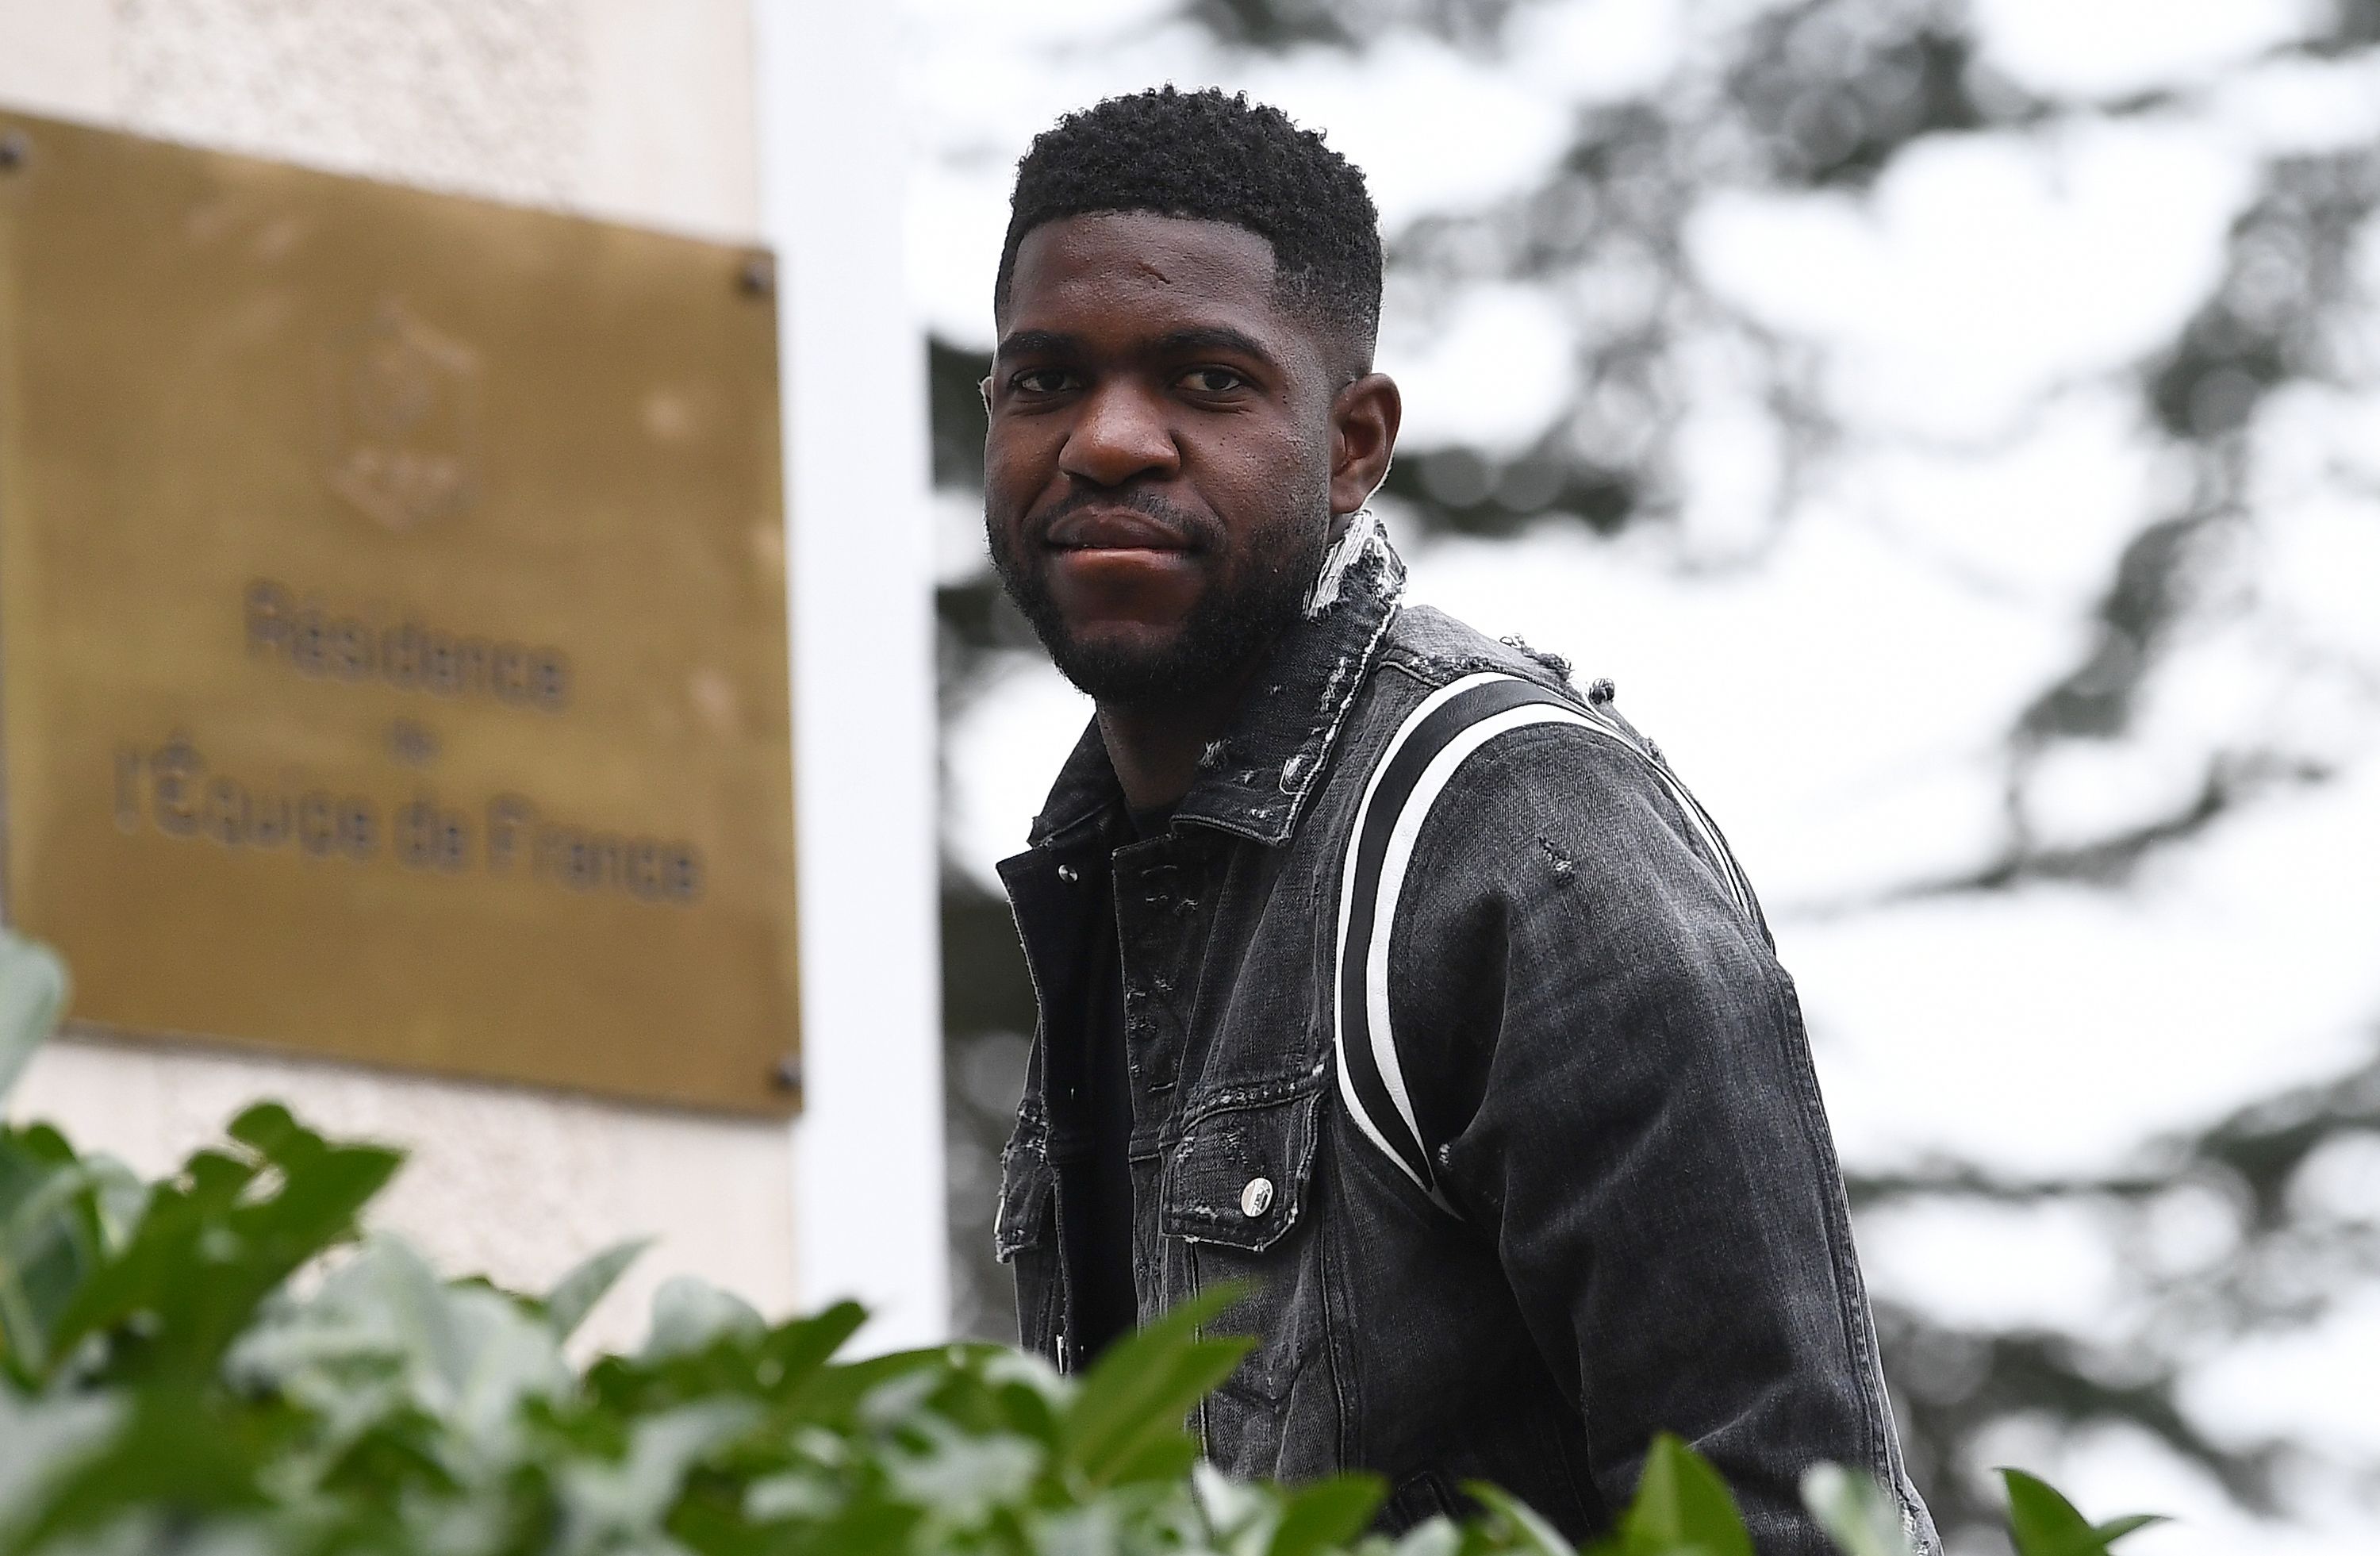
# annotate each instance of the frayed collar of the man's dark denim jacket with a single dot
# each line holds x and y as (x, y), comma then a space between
(1258, 777)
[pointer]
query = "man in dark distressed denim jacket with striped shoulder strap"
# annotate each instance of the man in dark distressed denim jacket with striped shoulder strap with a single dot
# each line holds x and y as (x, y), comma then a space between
(1377, 965)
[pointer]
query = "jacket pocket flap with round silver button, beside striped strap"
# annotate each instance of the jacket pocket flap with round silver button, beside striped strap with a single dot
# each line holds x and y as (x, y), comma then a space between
(1239, 1172)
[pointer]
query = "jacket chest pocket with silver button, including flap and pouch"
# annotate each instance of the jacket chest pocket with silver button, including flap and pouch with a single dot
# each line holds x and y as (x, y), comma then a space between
(1239, 1203)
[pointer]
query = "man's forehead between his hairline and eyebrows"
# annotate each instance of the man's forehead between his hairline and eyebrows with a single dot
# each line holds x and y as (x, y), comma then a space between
(1136, 270)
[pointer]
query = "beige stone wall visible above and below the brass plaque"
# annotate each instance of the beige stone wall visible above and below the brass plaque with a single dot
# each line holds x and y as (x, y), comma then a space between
(639, 111)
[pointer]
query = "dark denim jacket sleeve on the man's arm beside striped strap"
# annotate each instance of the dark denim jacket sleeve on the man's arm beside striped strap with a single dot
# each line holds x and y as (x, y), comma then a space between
(1615, 1086)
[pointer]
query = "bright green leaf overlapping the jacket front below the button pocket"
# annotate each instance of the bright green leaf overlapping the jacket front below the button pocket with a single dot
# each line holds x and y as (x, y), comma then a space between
(1146, 1386)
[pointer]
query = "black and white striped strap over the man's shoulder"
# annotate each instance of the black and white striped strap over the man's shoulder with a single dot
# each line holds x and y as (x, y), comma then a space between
(1422, 758)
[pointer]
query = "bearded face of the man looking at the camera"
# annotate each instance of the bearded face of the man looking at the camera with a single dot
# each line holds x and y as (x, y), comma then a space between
(1158, 468)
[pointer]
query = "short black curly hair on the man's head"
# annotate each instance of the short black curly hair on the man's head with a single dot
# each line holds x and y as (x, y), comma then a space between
(1215, 158)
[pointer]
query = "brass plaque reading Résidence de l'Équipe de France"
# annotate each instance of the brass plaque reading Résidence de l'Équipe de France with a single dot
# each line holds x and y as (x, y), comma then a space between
(394, 625)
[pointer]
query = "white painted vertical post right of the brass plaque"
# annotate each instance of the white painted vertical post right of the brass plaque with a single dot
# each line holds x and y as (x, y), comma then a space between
(870, 1196)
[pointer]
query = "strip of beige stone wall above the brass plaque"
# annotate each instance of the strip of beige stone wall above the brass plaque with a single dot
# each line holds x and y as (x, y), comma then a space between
(618, 108)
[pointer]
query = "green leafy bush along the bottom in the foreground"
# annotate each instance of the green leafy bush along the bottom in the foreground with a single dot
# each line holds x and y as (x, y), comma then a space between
(223, 1364)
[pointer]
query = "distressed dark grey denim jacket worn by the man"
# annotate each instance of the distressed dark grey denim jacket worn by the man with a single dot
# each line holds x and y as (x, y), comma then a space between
(1570, 1184)
